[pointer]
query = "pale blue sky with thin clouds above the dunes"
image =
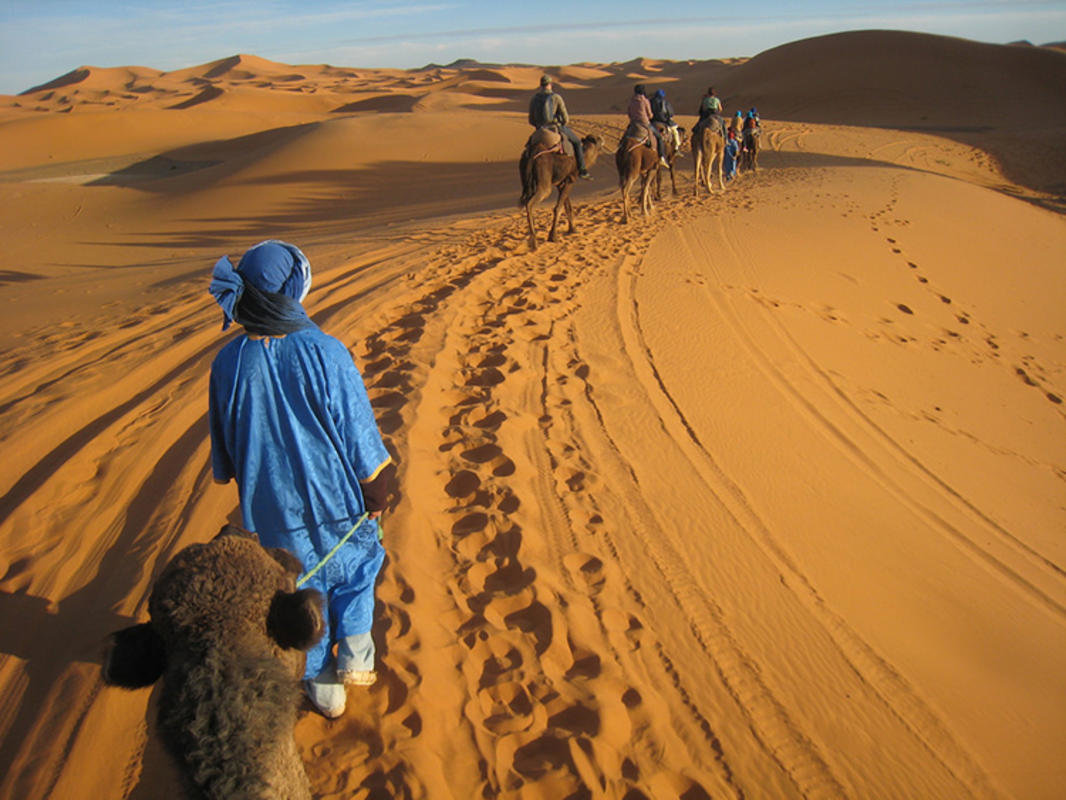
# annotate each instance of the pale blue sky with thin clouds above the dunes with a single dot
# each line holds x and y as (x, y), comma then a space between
(41, 40)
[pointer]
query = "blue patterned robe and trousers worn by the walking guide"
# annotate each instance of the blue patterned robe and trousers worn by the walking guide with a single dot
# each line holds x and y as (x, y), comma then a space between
(292, 422)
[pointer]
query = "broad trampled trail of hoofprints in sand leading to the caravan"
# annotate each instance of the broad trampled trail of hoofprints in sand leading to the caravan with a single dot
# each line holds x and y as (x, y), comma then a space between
(543, 653)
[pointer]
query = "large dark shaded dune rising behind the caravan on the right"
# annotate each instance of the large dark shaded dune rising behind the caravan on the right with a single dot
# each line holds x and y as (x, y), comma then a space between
(889, 78)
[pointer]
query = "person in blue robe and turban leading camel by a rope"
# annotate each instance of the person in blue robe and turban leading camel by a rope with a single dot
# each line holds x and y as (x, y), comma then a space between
(292, 423)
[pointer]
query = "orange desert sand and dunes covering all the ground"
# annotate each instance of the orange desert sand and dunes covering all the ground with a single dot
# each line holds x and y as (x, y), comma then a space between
(762, 499)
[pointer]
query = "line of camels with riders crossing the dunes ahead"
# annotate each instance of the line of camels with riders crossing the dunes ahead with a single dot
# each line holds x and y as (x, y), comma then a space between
(555, 157)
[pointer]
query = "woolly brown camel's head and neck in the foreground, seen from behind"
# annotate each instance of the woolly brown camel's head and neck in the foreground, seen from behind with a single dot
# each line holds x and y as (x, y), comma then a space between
(228, 635)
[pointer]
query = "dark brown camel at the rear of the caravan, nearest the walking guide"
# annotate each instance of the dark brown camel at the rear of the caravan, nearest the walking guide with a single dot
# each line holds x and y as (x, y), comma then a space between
(543, 167)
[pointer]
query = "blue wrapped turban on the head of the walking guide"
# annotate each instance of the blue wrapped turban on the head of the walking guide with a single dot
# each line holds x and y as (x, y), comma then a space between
(266, 291)
